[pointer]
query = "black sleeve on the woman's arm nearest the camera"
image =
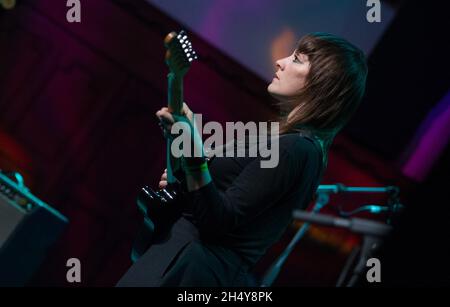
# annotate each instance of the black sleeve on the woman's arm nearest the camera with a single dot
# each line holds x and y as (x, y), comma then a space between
(253, 191)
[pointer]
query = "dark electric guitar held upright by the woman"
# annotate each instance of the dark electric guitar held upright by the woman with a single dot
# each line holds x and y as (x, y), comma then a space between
(160, 207)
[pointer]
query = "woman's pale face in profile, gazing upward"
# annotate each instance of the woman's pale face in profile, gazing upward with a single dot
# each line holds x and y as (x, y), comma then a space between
(290, 76)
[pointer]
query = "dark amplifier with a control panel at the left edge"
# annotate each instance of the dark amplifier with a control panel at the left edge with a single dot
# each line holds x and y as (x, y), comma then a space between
(28, 228)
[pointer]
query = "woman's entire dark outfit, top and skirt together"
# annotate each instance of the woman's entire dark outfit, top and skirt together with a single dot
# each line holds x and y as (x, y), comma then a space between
(231, 222)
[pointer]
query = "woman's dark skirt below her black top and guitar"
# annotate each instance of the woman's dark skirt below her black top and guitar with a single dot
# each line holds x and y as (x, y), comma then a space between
(183, 260)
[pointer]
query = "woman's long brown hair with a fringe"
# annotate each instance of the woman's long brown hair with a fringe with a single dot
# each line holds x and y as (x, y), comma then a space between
(333, 89)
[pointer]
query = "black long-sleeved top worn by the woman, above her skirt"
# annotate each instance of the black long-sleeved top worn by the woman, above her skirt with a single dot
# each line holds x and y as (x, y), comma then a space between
(247, 208)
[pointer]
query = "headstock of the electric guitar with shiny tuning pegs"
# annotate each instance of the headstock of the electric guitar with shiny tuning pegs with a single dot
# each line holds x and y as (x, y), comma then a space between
(179, 54)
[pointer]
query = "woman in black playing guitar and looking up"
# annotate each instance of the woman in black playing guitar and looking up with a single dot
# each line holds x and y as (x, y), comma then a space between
(235, 209)
